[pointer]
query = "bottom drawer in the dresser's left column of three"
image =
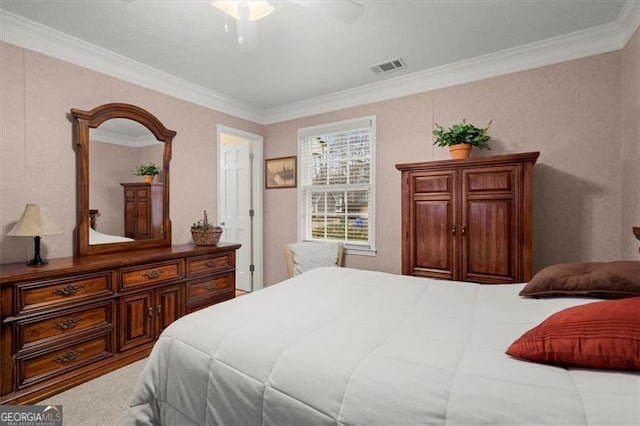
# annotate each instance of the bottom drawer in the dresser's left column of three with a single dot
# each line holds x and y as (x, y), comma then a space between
(42, 366)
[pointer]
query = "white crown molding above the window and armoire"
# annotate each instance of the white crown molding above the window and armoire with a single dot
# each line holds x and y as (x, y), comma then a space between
(580, 44)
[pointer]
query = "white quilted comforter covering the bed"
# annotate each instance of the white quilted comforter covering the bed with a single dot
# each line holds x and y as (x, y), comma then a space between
(350, 347)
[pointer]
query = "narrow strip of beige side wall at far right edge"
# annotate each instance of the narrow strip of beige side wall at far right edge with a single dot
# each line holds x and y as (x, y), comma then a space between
(630, 145)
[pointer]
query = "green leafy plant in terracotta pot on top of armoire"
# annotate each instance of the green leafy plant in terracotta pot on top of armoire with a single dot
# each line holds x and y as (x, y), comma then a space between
(461, 137)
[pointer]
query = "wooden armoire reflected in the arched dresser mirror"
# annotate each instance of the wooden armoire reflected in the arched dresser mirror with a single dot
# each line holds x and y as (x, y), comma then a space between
(143, 210)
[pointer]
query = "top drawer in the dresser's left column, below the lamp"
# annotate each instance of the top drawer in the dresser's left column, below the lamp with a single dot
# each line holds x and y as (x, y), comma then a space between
(52, 293)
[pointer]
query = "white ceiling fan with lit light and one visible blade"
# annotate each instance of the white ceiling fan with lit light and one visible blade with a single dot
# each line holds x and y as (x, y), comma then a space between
(247, 12)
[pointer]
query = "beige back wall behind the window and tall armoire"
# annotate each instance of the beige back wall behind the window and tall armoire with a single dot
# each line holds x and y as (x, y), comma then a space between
(570, 112)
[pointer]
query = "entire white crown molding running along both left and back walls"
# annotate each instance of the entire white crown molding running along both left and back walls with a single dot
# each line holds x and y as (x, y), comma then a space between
(22, 32)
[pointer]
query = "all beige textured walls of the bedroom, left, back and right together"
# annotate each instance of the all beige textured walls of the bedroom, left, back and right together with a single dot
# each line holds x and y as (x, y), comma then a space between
(581, 115)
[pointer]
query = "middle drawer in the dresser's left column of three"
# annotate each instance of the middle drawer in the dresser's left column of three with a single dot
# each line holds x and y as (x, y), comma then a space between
(48, 329)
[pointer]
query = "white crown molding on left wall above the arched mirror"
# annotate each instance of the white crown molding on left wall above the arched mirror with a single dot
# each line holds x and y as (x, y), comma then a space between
(31, 35)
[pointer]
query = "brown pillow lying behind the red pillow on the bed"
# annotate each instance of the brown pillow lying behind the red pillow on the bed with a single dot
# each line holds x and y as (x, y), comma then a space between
(607, 280)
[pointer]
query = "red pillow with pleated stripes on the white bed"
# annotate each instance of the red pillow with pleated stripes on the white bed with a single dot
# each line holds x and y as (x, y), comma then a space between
(597, 335)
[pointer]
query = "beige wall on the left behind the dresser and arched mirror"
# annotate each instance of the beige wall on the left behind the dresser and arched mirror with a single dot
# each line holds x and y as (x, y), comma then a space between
(38, 160)
